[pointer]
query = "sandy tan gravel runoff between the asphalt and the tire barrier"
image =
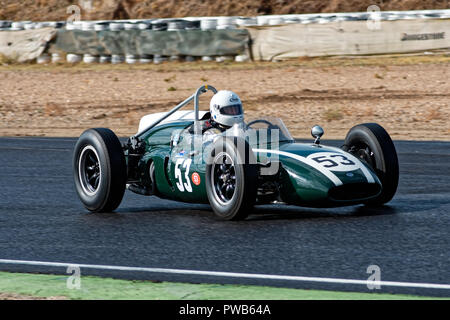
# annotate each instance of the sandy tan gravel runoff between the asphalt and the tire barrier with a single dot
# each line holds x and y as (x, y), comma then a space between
(408, 95)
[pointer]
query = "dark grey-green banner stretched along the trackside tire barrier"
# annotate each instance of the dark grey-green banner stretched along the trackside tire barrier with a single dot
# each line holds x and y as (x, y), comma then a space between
(166, 43)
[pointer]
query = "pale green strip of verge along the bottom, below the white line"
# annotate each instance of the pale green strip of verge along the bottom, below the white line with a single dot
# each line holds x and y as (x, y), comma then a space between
(92, 288)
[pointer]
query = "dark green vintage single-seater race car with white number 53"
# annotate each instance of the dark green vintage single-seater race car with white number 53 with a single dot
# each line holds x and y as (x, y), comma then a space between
(258, 162)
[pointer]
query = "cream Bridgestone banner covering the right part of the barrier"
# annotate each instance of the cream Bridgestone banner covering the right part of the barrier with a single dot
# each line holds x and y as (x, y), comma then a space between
(349, 38)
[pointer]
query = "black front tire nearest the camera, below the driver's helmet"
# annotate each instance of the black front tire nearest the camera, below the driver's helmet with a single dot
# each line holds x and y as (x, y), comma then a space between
(244, 169)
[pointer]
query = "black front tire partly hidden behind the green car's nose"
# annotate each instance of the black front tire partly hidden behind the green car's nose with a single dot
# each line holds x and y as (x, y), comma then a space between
(371, 142)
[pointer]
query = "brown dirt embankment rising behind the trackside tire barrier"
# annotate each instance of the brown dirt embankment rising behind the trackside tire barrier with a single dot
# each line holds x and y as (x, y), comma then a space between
(42, 10)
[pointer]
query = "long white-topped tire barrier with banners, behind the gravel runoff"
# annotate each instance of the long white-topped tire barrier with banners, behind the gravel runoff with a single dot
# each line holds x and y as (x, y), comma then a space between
(273, 37)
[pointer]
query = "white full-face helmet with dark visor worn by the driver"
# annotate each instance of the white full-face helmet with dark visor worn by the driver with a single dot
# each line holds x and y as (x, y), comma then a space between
(226, 108)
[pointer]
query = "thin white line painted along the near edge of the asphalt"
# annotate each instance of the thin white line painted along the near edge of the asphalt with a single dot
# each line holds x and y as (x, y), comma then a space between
(233, 274)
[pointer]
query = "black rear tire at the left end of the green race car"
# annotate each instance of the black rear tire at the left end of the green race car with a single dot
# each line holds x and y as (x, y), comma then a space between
(99, 169)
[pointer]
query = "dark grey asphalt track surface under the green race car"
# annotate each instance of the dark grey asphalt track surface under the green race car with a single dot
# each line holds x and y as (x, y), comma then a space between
(41, 219)
